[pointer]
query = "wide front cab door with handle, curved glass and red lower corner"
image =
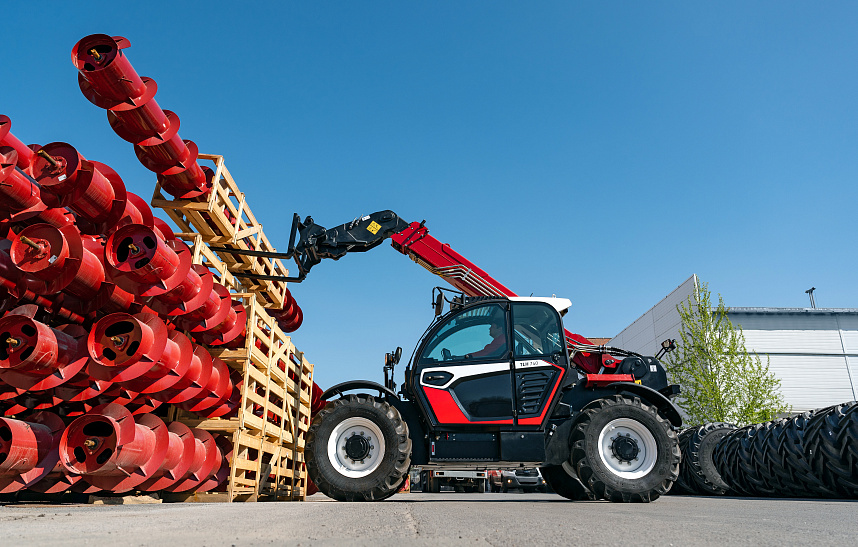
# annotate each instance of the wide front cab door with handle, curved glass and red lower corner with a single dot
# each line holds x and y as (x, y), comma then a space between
(464, 369)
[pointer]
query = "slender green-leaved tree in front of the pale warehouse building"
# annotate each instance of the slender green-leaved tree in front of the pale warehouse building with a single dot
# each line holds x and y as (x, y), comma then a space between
(721, 381)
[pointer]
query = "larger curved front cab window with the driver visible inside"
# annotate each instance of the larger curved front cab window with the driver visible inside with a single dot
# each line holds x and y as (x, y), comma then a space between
(478, 333)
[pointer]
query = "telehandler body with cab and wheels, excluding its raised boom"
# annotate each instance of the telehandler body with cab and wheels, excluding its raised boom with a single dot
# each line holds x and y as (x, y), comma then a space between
(492, 384)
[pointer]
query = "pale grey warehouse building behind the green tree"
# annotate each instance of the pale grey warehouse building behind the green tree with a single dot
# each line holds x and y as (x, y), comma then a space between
(813, 351)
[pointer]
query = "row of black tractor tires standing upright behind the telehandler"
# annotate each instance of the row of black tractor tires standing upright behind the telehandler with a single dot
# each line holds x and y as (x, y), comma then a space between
(811, 455)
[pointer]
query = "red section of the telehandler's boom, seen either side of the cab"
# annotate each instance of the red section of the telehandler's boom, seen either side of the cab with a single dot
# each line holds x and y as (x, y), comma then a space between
(441, 260)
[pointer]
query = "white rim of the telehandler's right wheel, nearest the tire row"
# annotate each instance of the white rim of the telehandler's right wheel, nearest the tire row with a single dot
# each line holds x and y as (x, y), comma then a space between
(627, 448)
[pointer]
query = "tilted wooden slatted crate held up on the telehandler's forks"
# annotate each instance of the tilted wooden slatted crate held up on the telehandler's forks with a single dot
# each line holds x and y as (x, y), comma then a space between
(225, 220)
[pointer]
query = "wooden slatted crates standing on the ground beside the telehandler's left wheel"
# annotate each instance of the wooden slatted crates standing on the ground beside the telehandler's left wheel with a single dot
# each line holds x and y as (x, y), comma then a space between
(268, 434)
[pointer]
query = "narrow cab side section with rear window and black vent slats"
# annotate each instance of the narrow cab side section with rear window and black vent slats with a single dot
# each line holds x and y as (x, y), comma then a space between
(539, 360)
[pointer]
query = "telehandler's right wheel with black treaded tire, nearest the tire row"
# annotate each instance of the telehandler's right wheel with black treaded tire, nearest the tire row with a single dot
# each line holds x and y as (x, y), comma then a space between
(661, 455)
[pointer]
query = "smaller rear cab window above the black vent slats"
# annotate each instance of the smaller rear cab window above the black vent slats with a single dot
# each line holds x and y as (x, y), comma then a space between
(536, 329)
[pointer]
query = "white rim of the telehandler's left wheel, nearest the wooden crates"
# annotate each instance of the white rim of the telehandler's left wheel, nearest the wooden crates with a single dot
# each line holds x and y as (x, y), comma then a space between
(359, 463)
